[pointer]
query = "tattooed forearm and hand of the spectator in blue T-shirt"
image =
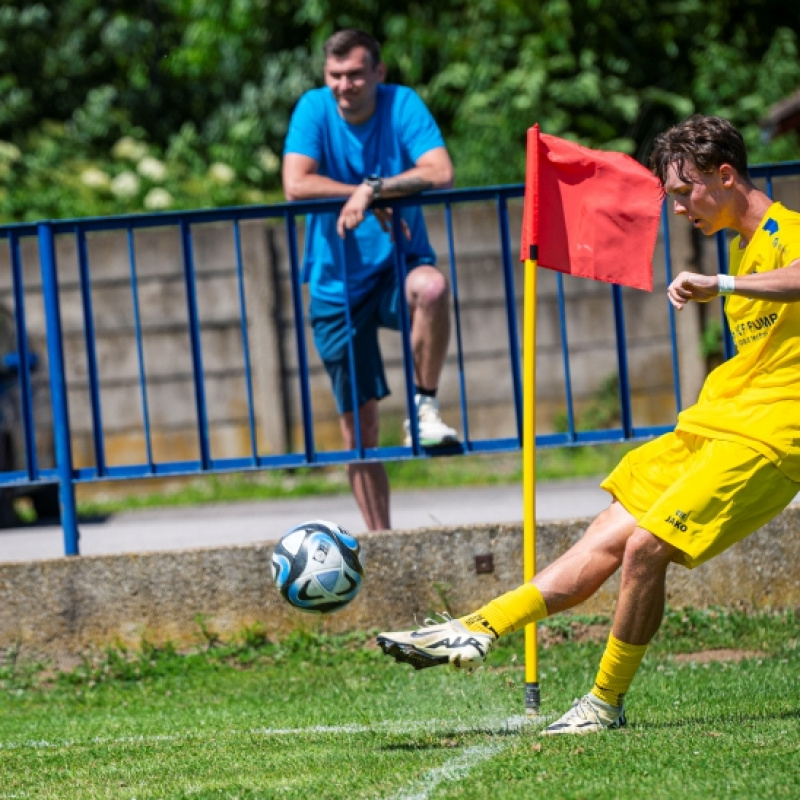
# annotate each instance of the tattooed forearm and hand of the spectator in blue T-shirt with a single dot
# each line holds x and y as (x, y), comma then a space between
(432, 170)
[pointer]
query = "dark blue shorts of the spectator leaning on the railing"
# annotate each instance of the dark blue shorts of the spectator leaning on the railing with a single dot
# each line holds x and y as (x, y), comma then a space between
(379, 308)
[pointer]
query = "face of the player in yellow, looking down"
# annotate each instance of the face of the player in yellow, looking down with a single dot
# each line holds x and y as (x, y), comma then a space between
(700, 196)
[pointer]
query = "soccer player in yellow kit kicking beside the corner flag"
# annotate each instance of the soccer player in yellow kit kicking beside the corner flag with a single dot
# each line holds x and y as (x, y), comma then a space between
(731, 464)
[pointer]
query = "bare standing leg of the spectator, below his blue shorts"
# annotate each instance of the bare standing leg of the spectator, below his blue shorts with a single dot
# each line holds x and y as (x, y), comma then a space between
(368, 481)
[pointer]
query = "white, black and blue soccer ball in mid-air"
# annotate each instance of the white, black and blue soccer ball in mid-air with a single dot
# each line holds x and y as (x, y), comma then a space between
(317, 567)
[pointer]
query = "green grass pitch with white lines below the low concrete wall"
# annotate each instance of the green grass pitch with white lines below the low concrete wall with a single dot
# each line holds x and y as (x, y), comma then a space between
(330, 717)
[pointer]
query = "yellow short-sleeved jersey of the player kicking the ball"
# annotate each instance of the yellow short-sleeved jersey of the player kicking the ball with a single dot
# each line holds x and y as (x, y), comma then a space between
(754, 398)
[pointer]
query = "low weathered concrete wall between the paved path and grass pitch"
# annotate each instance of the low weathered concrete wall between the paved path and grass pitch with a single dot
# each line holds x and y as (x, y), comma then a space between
(64, 606)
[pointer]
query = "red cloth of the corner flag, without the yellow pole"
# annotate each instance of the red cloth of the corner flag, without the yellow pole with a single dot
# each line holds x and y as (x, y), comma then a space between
(592, 213)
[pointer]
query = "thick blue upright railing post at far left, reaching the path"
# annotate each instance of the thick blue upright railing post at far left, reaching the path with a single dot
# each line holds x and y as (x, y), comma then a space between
(58, 389)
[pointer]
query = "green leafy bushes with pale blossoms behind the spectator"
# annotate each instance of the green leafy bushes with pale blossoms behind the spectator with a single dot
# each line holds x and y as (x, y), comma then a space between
(206, 87)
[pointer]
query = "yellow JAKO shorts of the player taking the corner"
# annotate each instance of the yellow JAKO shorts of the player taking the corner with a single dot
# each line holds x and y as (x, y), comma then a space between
(699, 495)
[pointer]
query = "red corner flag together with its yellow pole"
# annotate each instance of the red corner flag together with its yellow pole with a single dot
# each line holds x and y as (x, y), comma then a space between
(592, 214)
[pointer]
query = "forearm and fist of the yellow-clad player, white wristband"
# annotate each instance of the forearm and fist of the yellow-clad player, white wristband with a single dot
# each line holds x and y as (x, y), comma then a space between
(781, 285)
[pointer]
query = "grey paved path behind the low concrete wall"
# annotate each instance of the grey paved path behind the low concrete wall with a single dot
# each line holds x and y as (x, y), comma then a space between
(244, 523)
